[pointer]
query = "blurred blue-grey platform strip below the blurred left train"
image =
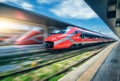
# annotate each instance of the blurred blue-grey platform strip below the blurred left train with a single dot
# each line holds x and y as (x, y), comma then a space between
(7, 51)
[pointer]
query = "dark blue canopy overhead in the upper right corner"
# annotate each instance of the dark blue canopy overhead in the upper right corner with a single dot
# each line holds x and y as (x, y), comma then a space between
(109, 11)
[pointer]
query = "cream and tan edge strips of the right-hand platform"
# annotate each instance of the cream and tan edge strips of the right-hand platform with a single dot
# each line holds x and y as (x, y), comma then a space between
(86, 71)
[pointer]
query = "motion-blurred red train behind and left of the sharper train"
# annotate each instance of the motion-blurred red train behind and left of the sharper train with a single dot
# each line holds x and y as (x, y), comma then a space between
(32, 37)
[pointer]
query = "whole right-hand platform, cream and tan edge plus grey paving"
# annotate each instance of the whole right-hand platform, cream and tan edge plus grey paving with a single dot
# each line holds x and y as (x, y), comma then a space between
(105, 66)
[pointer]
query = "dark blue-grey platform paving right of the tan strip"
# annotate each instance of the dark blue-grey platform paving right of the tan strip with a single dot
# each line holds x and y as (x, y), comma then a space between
(110, 69)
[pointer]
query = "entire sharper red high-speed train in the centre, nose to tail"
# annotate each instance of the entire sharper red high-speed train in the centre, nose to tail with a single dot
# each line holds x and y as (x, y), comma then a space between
(74, 36)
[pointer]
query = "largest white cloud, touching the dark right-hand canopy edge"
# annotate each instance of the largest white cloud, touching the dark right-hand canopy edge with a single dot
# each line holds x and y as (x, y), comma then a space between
(77, 9)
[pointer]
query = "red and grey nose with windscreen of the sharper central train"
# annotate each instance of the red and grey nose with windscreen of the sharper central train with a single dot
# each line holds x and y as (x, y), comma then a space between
(59, 41)
